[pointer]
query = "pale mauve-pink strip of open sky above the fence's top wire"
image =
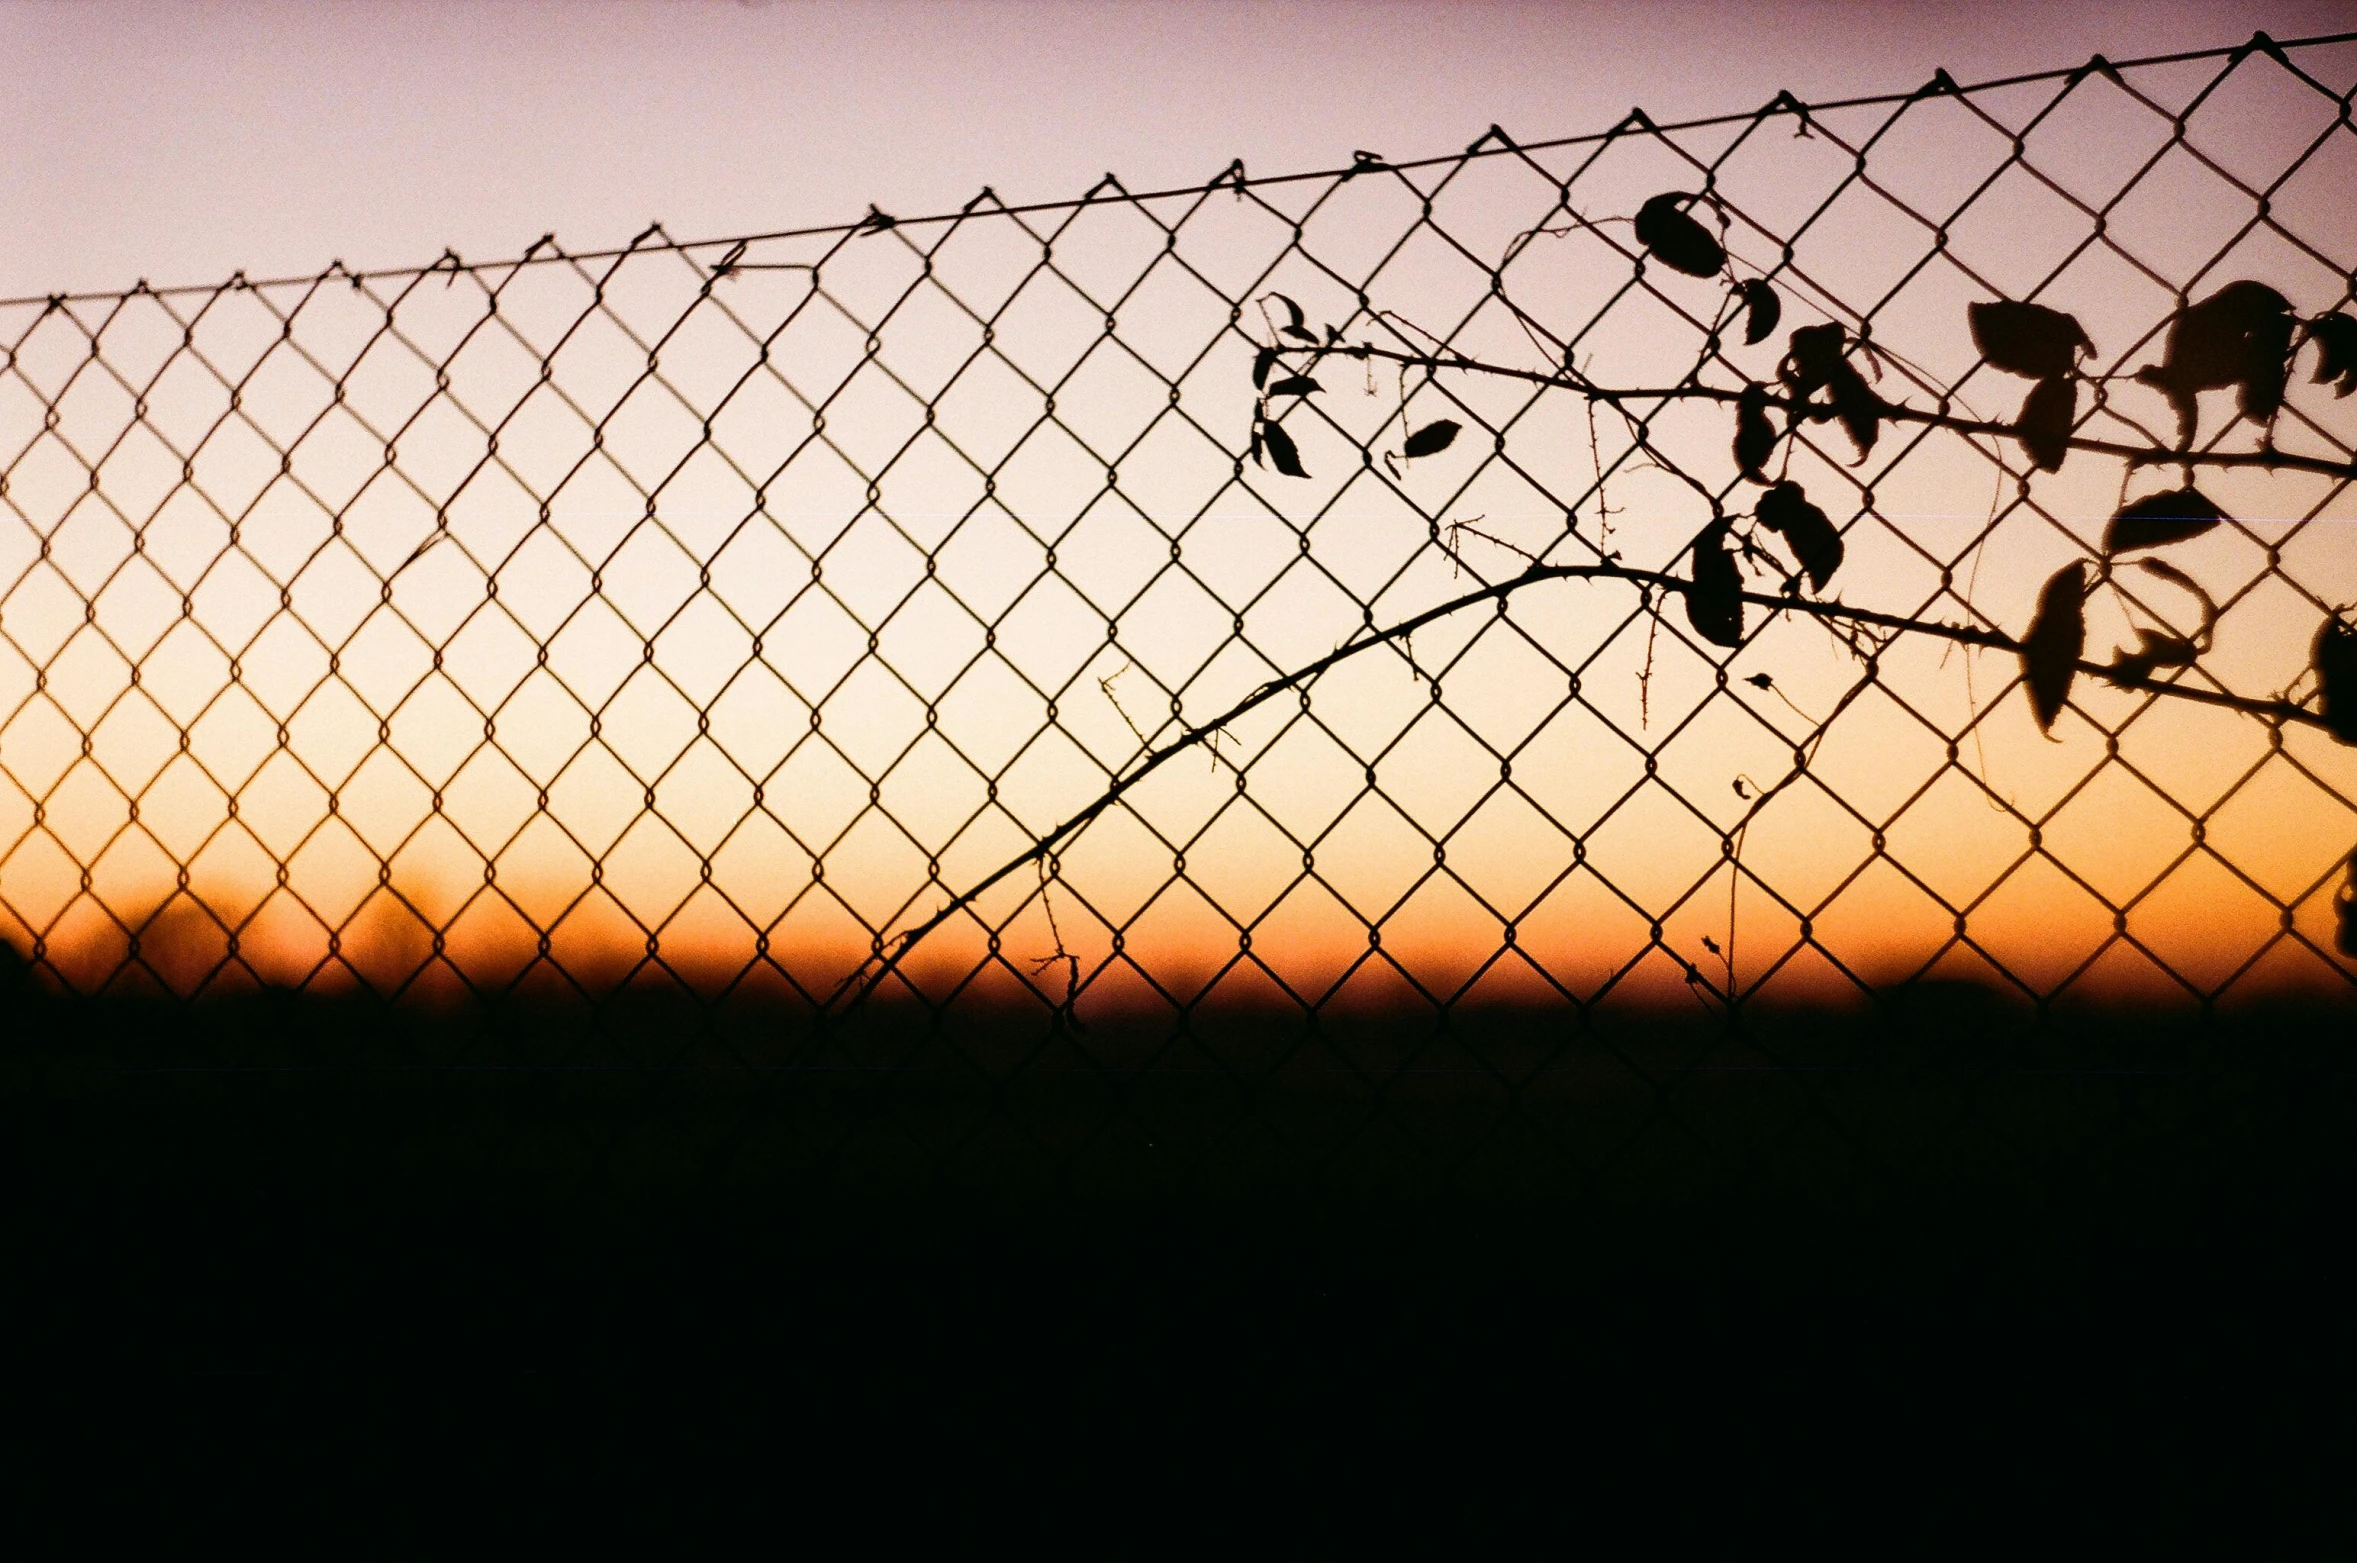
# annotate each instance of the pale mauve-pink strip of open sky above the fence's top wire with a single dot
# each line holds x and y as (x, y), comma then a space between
(185, 143)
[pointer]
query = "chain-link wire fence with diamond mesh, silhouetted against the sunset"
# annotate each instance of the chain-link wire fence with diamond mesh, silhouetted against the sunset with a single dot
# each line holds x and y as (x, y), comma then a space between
(878, 652)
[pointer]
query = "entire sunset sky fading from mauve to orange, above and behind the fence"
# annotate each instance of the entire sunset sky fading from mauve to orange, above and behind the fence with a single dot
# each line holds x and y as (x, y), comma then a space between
(185, 145)
